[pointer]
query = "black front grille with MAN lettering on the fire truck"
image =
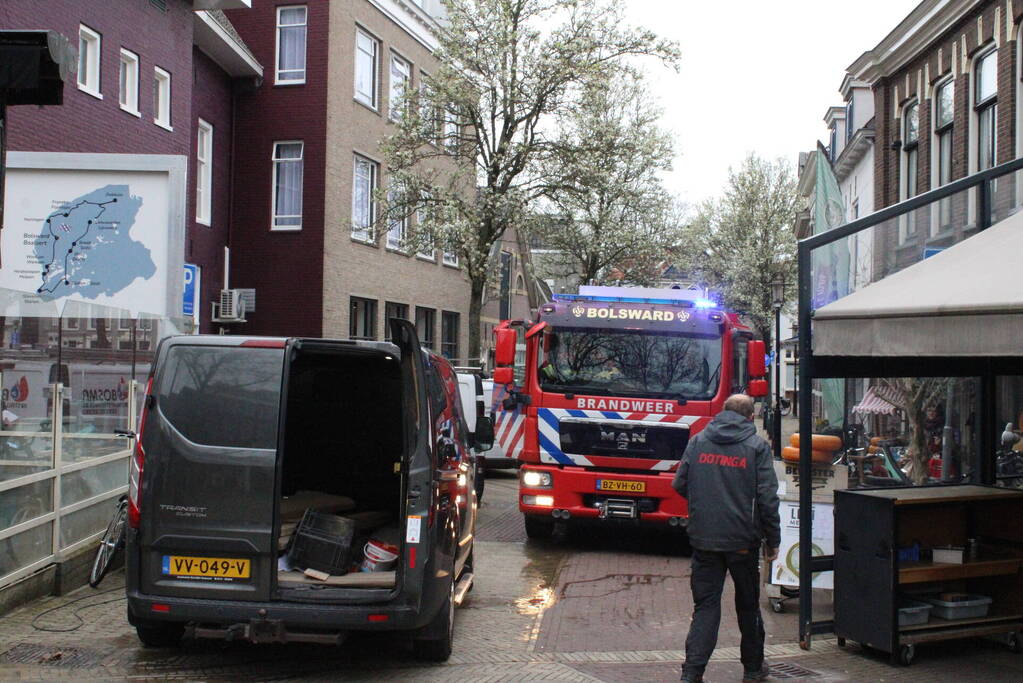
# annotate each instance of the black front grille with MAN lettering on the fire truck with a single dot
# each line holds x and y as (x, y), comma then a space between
(621, 440)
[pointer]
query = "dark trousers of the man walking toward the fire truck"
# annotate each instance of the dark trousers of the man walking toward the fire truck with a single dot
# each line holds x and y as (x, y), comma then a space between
(707, 581)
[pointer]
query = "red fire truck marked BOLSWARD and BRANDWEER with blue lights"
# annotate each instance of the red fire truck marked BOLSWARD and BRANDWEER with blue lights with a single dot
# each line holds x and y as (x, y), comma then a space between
(599, 396)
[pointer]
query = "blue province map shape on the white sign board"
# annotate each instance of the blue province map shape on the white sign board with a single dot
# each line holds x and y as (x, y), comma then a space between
(85, 247)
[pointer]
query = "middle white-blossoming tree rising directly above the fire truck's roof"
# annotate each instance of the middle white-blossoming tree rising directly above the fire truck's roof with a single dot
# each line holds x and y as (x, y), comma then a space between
(608, 215)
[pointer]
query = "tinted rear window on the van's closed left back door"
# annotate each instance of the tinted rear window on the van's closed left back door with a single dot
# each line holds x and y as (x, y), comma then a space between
(219, 396)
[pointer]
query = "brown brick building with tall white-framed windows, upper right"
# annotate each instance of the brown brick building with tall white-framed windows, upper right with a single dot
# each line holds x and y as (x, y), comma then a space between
(946, 86)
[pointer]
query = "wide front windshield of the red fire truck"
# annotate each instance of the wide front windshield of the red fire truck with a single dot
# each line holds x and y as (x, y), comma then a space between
(615, 362)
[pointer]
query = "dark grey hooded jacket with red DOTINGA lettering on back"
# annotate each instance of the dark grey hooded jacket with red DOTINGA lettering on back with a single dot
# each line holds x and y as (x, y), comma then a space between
(728, 476)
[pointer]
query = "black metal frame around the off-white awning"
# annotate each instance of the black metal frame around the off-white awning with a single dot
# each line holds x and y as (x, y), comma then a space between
(987, 369)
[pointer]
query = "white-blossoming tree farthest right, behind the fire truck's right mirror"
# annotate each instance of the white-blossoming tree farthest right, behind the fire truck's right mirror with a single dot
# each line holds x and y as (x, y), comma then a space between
(745, 240)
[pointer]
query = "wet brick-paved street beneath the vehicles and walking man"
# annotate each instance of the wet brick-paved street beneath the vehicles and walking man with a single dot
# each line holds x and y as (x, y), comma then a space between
(595, 607)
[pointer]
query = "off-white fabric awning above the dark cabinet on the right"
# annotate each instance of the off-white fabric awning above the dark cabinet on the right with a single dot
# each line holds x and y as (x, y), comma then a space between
(965, 301)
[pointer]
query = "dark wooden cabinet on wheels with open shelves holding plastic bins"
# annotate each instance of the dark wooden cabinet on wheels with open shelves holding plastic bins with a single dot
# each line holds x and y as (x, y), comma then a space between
(873, 579)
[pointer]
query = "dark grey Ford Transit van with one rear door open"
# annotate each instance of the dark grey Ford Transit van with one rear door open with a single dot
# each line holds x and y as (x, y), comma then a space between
(239, 433)
